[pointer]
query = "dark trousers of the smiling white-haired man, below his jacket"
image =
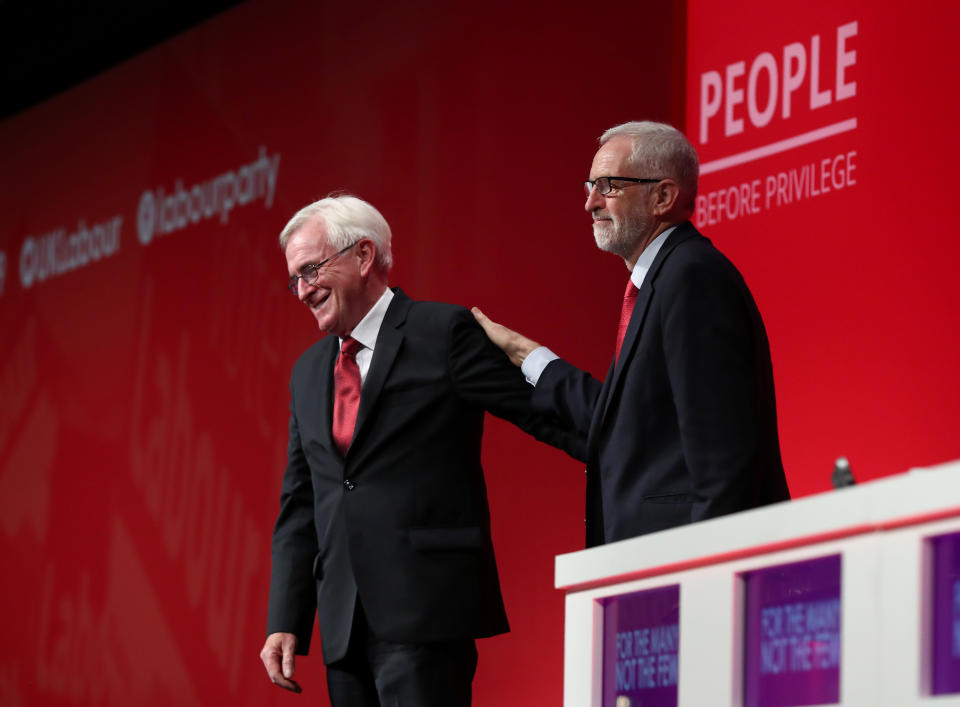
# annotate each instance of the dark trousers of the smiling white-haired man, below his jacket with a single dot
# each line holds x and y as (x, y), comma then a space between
(377, 673)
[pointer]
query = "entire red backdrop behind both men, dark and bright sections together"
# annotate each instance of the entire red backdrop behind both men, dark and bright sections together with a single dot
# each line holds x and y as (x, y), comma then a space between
(147, 336)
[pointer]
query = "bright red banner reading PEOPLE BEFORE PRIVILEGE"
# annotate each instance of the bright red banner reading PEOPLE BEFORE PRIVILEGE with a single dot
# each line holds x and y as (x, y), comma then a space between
(825, 132)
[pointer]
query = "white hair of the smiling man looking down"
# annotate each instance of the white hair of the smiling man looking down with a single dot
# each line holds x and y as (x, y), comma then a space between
(347, 220)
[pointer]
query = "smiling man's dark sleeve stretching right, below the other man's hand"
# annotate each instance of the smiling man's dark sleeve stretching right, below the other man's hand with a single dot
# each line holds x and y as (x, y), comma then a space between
(483, 376)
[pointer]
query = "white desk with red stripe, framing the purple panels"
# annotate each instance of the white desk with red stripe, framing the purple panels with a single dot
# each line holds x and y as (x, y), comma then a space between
(882, 532)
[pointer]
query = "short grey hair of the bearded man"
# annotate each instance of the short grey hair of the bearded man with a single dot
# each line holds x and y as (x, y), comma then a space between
(663, 149)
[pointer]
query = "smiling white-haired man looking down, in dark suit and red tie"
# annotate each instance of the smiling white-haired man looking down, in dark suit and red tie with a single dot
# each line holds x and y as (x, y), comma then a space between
(384, 528)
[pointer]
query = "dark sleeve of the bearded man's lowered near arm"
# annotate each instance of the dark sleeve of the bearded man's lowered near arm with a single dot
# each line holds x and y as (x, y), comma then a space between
(709, 349)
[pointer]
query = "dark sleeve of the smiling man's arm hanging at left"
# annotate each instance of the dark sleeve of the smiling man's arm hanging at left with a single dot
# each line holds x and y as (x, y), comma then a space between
(292, 584)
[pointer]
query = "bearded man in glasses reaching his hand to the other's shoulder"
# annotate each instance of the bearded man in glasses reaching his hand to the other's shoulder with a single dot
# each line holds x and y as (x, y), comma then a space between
(684, 427)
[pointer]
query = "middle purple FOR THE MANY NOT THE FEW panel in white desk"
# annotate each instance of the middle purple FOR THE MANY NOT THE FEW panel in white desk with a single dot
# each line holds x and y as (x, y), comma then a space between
(793, 634)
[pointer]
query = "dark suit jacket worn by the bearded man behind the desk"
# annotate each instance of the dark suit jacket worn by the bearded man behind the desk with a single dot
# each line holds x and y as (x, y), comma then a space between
(685, 426)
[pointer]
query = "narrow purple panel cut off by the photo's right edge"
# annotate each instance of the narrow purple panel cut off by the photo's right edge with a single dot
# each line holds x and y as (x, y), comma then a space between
(946, 615)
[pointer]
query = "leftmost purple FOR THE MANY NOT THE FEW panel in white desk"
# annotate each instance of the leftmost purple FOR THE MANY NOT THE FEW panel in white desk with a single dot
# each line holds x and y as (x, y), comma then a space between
(641, 647)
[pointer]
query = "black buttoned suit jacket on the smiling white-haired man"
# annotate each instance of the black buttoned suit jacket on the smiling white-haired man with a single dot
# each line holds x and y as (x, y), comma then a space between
(402, 520)
